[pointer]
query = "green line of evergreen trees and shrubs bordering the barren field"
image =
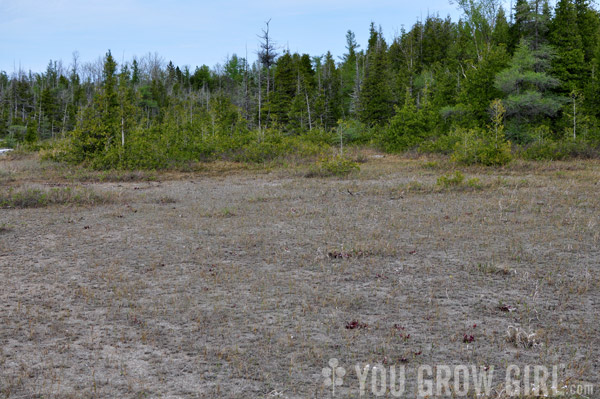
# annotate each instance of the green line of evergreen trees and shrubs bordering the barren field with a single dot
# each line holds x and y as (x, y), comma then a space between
(478, 88)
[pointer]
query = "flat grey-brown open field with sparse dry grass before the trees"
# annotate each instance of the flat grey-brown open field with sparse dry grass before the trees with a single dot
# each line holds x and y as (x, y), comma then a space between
(239, 283)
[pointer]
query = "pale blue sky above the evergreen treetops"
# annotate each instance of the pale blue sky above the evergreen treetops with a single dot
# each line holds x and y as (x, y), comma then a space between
(192, 33)
